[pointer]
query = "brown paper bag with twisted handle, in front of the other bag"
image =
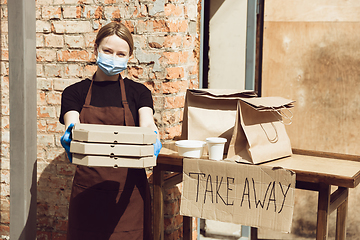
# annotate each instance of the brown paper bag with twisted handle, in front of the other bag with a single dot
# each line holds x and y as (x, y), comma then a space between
(259, 134)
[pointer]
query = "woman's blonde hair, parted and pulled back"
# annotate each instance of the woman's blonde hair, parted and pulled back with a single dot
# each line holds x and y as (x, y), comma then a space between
(118, 29)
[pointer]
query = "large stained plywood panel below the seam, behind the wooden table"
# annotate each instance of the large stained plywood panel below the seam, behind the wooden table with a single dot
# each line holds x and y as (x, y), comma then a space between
(316, 64)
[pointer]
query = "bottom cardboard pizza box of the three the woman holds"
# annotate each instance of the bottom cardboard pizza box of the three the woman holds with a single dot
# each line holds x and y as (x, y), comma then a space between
(107, 161)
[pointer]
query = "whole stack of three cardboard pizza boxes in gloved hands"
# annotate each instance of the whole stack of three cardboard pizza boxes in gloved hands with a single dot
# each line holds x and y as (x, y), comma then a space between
(96, 145)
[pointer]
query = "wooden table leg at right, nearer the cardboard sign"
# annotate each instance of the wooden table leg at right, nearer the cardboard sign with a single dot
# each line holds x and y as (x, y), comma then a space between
(323, 211)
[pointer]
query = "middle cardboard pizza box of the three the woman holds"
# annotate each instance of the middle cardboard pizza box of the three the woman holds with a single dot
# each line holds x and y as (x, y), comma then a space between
(111, 149)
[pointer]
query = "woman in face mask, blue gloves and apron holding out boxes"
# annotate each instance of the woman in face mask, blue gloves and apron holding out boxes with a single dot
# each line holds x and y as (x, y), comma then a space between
(109, 203)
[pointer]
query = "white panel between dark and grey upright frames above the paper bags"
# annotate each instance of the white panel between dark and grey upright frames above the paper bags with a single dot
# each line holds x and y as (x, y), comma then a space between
(227, 44)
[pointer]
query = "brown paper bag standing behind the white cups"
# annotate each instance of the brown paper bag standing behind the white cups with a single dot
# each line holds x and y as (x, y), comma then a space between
(211, 113)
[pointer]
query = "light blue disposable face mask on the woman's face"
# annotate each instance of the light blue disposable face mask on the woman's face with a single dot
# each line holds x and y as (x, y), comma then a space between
(111, 65)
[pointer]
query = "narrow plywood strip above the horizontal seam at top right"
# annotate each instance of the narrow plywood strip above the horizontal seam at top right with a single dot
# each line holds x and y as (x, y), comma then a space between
(312, 11)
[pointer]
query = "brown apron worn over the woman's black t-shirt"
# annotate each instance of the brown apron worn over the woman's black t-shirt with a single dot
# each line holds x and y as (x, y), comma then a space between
(109, 203)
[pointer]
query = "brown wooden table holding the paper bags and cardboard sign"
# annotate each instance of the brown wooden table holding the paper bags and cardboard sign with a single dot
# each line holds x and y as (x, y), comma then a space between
(315, 171)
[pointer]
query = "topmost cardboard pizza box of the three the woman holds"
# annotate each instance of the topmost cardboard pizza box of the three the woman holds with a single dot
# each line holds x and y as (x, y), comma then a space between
(113, 134)
